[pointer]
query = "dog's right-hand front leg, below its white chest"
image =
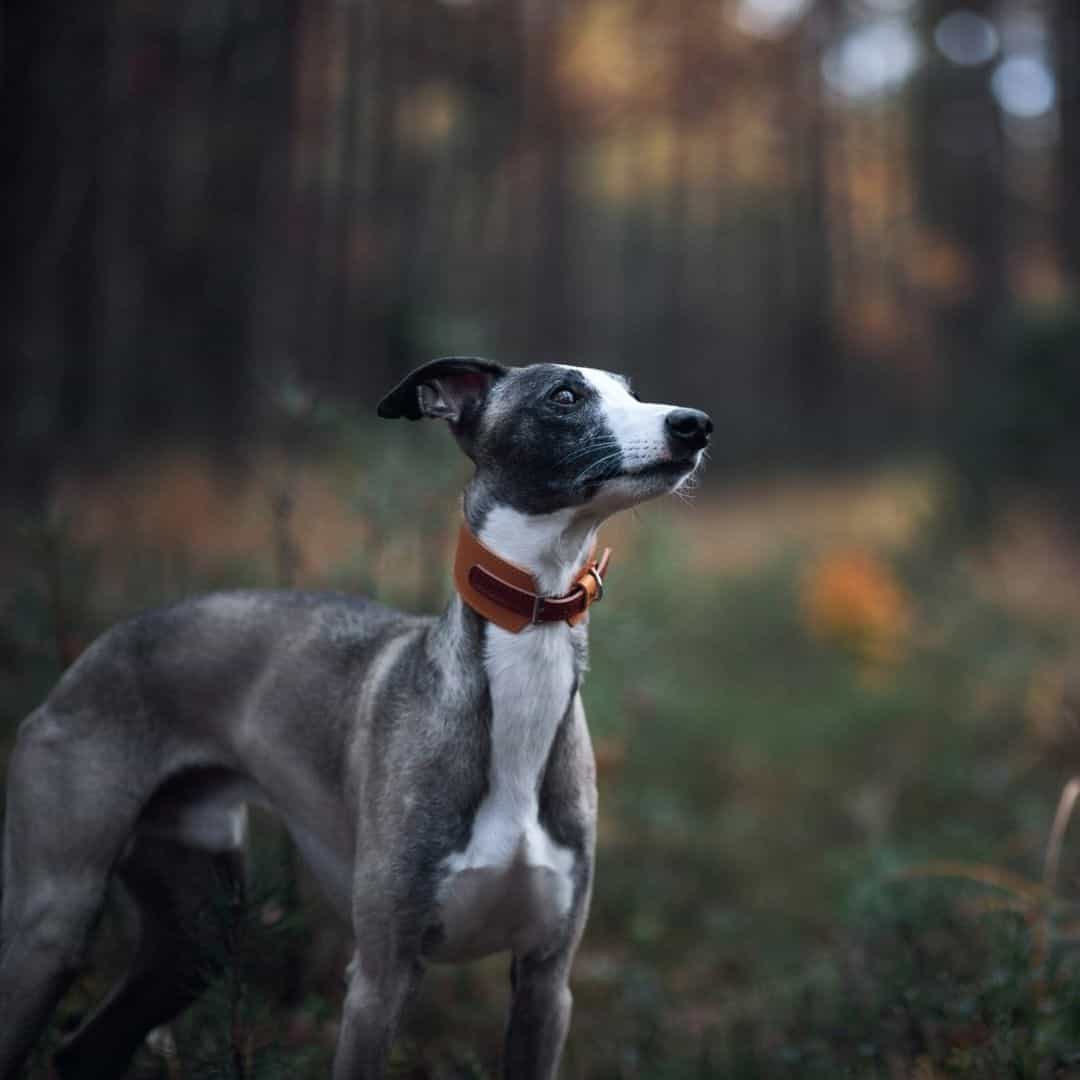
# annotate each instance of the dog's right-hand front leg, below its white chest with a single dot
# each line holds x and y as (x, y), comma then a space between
(539, 1017)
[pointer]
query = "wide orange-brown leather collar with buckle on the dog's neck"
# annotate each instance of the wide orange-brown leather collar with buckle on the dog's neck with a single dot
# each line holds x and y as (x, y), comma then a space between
(507, 595)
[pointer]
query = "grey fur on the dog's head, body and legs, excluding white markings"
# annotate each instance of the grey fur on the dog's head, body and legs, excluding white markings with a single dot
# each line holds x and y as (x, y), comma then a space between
(368, 732)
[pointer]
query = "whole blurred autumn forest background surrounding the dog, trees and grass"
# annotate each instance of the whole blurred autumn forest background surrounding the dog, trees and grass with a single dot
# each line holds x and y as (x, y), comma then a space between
(849, 229)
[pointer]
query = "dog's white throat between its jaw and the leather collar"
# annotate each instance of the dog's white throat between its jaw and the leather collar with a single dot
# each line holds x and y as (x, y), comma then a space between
(552, 547)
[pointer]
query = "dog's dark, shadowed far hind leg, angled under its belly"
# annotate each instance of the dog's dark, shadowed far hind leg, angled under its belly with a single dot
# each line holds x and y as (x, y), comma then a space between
(188, 903)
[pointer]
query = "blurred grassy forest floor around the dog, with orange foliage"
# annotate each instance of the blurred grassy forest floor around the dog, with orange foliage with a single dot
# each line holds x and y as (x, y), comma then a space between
(831, 748)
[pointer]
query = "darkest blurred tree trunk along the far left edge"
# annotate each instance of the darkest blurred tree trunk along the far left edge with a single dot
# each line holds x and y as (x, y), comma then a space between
(51, 101)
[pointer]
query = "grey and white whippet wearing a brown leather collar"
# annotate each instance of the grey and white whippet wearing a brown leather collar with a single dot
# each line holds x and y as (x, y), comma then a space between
(437, 774)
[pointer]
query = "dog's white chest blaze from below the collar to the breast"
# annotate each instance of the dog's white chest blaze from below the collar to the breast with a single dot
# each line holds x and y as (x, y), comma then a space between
(514, 885)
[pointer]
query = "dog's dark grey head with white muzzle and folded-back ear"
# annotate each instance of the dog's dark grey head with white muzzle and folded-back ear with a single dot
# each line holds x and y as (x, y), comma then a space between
(550, 437)
